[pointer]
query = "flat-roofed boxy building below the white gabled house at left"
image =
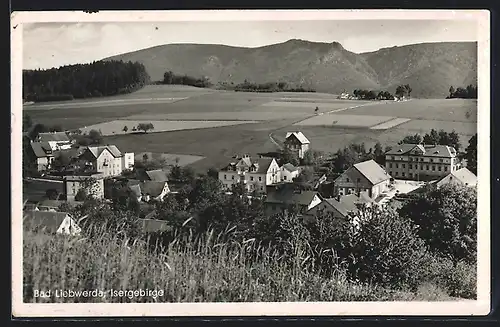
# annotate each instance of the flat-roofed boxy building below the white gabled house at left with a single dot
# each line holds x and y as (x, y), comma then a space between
(92, 184)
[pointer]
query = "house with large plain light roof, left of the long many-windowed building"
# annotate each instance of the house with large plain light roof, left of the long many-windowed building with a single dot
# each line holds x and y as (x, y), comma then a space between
(367, 176)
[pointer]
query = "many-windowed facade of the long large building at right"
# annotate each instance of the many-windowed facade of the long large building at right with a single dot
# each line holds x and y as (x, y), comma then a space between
(420, 167)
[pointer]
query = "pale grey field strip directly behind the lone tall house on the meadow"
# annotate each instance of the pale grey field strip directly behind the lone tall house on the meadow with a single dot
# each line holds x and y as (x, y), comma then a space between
(337, 120)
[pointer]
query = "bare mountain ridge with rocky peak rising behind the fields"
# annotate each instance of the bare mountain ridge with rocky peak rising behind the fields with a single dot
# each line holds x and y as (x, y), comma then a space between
(430, 68)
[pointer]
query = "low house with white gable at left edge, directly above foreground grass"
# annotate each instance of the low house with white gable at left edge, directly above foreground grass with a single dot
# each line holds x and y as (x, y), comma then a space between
(51, 222)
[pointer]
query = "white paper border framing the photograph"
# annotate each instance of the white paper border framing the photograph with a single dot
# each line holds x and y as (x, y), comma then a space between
(461, 308)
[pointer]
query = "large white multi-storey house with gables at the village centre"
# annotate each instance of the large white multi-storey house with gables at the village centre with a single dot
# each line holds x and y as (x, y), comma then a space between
(254, 174)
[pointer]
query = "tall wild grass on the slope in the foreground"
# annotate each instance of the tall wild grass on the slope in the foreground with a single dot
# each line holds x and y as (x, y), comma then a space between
(202, 271)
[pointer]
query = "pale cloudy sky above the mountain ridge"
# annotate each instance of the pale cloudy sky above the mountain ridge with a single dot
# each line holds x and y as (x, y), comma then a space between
(47, 45)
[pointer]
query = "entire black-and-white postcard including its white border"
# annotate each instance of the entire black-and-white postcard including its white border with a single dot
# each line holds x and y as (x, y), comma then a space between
(193, 161)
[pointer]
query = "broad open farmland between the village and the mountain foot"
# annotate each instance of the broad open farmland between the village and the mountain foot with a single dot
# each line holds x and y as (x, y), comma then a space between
(216, 125)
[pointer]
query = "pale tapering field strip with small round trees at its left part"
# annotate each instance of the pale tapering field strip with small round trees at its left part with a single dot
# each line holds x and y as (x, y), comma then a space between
(117, 126)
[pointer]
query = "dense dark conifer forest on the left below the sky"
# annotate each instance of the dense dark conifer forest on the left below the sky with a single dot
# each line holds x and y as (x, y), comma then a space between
(96, 79)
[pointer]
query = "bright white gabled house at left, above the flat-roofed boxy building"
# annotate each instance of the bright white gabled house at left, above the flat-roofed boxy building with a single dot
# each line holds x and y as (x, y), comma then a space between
(107, 160)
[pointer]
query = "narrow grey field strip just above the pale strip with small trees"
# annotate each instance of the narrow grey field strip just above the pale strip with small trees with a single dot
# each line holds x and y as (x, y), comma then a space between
(220, 116)
